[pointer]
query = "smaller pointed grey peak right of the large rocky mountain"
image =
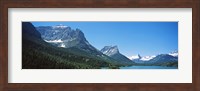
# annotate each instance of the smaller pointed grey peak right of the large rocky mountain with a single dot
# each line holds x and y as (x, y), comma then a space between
(113, 52)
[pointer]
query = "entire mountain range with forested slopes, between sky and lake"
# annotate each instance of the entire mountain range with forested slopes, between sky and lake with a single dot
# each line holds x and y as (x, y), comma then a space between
(60, 46)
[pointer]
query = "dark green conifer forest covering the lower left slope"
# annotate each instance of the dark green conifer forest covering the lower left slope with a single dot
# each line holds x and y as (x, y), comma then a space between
(36, 54)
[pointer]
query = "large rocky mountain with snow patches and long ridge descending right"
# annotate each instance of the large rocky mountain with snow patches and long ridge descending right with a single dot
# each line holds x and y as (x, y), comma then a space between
(73, 41)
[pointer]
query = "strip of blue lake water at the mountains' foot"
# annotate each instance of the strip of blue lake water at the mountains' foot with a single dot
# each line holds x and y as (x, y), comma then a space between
(148, 67)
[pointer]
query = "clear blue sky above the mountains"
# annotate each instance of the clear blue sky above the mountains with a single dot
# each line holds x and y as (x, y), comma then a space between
(132, 38)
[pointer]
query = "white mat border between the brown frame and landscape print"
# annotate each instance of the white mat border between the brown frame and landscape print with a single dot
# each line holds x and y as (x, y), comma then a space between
(17, 75)
